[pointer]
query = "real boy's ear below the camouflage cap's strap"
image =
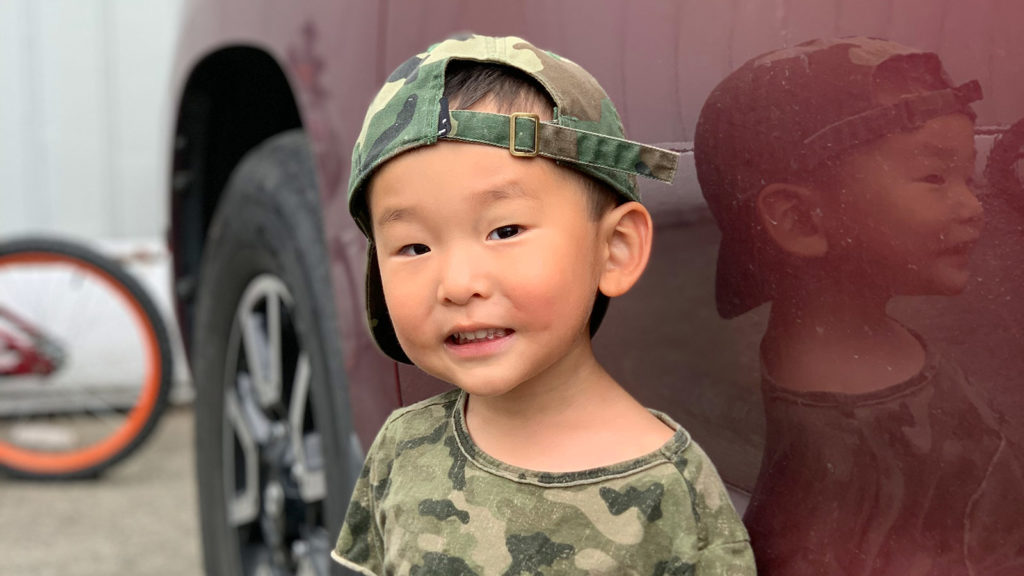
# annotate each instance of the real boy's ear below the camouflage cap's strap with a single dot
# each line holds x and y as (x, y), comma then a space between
(627, 232)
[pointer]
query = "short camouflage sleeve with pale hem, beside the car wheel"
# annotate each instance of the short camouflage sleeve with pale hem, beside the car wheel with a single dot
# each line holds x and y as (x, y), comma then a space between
(361, 546)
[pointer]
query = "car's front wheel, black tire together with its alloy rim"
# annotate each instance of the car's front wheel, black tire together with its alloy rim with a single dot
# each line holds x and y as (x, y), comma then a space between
(262, 504)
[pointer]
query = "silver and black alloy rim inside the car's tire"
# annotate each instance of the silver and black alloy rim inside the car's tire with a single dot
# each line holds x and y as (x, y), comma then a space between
(275, 481)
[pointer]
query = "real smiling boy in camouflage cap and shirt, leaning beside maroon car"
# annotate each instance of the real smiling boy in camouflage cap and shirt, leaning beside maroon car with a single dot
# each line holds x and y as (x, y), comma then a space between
(498, 194)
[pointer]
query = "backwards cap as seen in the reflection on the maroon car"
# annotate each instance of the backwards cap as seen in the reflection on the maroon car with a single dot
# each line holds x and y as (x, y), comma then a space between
(785, 113)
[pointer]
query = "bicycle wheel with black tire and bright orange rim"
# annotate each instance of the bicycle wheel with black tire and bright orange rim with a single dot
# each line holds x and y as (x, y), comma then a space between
(84, 361)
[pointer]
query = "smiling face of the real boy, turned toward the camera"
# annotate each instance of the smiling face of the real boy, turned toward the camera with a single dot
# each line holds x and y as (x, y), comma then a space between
(490, 265)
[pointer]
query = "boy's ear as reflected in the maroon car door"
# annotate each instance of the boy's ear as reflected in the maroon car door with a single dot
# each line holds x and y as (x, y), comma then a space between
(794, 220)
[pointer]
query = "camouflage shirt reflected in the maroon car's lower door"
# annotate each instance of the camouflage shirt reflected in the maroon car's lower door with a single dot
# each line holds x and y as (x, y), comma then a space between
(913, 480)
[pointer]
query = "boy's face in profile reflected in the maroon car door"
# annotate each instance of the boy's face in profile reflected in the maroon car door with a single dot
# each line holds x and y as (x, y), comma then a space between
(908, 217)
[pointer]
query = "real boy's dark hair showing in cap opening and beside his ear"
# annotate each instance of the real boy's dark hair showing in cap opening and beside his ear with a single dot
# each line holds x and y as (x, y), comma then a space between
(467, 83)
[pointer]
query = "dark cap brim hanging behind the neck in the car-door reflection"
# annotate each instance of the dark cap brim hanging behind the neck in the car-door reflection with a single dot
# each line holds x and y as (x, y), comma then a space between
(739, 286)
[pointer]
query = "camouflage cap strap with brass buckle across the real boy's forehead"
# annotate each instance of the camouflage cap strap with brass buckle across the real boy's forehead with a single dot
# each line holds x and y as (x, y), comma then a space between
(525, 135)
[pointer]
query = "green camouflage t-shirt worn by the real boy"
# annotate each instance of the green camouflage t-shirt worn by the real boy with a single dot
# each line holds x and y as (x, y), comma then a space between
(431, 503)
